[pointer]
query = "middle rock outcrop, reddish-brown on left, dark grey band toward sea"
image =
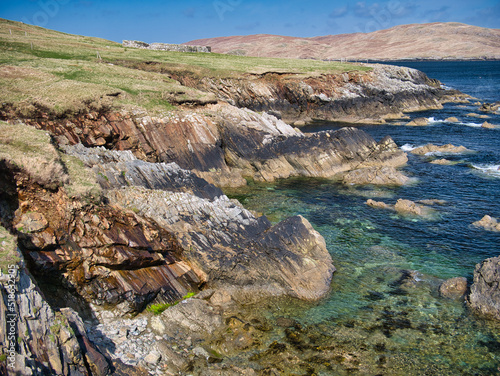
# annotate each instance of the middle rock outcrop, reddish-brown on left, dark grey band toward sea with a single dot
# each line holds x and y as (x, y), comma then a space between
(226, 144)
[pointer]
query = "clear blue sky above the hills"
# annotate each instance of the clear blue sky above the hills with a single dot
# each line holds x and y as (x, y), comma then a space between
(182, 21)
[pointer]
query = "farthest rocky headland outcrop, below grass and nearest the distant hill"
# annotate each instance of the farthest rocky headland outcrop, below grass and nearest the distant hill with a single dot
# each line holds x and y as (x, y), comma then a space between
(383, 93)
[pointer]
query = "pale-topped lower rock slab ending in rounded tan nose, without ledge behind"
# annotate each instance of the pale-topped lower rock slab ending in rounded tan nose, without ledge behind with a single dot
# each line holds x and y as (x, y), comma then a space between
(228, 247)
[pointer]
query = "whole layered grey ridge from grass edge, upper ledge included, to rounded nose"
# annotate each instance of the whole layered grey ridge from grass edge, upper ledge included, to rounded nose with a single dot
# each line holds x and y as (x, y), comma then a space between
(224, 243)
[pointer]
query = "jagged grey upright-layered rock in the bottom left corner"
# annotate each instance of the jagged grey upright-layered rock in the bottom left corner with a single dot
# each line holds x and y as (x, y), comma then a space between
(49, 342)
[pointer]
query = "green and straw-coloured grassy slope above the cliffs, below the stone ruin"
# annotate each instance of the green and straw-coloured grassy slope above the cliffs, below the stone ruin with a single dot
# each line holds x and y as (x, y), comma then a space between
(66, 73)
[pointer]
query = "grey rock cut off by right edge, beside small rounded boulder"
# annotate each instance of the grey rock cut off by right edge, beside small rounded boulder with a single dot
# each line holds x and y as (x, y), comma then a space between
(484, 297)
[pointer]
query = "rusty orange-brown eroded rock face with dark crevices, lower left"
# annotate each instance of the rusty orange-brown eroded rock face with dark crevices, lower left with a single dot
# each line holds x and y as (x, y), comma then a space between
(103, 254)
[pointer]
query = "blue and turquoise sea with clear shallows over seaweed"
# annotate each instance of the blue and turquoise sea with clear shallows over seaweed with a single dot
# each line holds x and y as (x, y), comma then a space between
(384, 309)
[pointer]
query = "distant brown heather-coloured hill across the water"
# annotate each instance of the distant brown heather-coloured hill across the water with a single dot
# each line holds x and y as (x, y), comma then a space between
(449, 40)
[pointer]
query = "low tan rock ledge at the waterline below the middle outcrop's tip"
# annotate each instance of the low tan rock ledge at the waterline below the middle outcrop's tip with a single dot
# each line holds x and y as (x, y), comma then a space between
(375, 175)
